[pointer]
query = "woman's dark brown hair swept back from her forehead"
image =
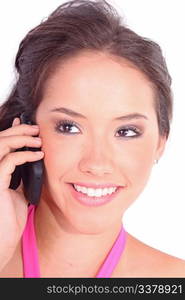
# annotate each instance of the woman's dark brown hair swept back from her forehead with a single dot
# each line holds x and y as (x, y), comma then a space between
(77, 26)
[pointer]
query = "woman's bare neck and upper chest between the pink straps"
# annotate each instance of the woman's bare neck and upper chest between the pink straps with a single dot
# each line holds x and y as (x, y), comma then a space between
(66, 252)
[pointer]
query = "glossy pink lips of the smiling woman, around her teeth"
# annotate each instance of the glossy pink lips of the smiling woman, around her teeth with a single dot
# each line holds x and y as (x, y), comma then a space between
(86, 200)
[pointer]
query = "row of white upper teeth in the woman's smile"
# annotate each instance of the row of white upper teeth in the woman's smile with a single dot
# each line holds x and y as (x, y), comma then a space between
(95, 192)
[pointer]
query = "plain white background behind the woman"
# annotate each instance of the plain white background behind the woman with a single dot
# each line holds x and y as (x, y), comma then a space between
(158, 216)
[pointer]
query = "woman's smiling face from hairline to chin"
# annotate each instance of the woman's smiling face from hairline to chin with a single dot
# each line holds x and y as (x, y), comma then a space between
(99, 147)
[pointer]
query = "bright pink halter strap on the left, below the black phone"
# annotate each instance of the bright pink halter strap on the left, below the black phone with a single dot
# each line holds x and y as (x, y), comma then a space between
(29, 247)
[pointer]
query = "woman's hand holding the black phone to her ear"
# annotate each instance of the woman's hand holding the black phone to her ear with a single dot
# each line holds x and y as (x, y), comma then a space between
(13, 205)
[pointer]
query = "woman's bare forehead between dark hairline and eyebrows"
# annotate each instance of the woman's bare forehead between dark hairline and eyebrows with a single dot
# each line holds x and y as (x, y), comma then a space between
(98, 78)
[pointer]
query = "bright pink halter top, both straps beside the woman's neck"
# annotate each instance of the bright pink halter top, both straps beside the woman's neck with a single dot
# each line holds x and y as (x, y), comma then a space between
(30, 254)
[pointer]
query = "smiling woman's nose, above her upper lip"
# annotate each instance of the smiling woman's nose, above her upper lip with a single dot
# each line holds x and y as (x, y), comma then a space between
(97, 160)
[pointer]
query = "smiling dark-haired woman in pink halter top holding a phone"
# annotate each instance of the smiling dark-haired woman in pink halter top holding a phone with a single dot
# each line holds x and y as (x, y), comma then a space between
(101, 97)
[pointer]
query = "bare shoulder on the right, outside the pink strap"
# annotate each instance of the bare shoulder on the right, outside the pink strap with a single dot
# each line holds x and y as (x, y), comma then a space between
(141, 260)
